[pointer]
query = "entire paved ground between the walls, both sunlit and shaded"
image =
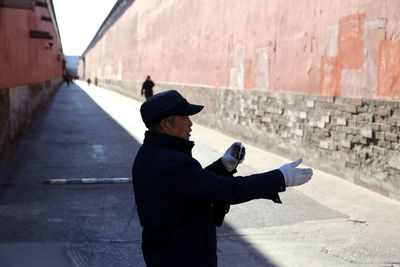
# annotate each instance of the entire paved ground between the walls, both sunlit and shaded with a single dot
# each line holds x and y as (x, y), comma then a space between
(88, 132)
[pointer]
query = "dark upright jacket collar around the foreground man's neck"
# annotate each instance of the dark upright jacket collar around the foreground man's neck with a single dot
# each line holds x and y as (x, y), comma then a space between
(168, 141)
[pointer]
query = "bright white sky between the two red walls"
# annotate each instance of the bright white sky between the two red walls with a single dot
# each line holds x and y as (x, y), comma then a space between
(78, 21)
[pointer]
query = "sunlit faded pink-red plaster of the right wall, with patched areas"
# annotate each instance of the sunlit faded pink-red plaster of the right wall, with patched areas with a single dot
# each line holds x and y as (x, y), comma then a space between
(336, 48)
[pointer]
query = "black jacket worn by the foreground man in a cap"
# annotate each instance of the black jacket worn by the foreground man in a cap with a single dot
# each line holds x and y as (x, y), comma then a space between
(178, 201)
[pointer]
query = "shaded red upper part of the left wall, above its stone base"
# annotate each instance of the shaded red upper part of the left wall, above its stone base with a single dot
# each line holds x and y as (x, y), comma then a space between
(25, 60)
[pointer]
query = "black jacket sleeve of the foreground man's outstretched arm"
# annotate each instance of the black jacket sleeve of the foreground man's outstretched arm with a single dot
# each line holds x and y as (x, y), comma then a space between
(192, 181)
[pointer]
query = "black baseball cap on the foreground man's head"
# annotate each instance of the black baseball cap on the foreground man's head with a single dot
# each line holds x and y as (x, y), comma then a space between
(165, 104)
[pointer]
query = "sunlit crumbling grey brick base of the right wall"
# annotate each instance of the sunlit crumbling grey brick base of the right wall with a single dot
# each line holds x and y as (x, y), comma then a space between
(356, 139)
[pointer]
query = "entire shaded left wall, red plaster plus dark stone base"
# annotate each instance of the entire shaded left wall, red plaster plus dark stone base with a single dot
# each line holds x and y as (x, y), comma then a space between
(29, 73)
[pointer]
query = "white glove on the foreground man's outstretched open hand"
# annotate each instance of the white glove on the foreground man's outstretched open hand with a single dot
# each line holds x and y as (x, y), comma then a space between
(295, 176)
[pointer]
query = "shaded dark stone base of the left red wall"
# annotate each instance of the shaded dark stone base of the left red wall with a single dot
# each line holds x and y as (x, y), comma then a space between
(19, 106)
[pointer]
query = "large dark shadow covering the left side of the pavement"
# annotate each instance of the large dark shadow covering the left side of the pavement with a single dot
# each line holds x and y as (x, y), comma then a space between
(79, 225)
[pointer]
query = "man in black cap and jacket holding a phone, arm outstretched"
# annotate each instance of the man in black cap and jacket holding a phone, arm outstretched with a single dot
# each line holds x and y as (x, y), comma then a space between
(178, 202)
